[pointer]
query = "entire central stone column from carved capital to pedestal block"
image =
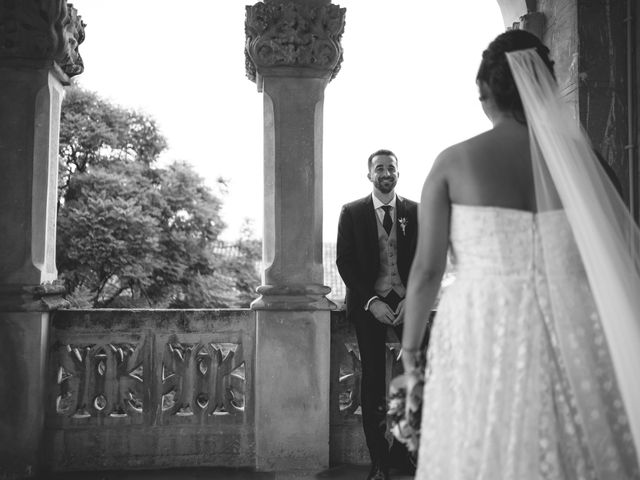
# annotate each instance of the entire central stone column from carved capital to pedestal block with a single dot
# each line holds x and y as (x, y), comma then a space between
(293, 51)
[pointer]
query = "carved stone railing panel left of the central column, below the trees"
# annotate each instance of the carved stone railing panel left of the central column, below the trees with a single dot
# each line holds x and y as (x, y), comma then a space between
(150, 388)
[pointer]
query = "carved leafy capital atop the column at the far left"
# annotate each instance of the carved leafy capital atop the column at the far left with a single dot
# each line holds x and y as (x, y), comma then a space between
(49, 30)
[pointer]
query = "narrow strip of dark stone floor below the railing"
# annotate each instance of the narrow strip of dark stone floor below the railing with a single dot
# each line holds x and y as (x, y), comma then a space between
(344, 472)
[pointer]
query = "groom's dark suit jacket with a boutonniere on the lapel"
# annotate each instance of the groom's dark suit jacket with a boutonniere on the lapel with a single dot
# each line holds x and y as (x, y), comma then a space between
(358, 255)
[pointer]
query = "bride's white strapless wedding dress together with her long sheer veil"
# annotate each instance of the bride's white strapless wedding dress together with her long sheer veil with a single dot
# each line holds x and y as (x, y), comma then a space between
(533, 368)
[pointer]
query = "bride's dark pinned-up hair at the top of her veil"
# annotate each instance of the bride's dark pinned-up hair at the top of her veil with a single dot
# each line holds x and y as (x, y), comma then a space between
(495, 72)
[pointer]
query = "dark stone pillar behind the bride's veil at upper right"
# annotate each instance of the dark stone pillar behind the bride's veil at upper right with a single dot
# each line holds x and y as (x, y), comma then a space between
(588, 42)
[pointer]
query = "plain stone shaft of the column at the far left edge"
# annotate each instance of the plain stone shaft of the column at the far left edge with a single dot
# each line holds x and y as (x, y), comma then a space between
(30, 100)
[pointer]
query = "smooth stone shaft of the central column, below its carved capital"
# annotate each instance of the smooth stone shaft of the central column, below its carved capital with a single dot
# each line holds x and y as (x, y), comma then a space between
(293, 180)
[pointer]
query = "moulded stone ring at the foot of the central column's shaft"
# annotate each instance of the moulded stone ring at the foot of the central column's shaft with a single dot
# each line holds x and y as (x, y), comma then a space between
(293, 297)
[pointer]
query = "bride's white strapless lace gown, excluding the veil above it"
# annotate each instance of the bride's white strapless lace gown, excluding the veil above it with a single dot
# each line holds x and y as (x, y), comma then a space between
(499, 402)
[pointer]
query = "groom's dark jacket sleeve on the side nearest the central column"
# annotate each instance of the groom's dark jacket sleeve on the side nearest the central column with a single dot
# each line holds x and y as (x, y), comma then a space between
(346, 258)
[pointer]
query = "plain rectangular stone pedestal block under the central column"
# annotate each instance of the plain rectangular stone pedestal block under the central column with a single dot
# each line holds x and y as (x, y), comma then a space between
(292, 390)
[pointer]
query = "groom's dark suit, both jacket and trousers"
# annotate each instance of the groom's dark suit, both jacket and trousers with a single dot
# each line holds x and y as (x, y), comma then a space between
(360, 263)
